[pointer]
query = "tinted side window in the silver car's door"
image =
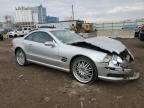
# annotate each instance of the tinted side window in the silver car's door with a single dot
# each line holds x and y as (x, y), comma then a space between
(40, 37)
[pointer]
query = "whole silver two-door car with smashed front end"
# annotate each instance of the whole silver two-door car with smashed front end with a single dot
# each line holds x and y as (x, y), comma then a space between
(87, 59)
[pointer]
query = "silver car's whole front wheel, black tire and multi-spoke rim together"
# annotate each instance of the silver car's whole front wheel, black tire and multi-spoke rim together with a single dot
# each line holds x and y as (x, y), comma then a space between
(84, 70)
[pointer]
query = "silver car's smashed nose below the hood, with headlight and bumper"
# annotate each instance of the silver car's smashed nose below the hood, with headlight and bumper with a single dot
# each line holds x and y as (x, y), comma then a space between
(115, 67)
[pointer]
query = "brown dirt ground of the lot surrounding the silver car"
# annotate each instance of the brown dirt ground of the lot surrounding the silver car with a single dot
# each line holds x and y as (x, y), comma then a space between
(36, 86)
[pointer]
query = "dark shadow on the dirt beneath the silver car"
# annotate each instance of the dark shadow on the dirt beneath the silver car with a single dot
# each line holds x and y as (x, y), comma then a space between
(69, 76)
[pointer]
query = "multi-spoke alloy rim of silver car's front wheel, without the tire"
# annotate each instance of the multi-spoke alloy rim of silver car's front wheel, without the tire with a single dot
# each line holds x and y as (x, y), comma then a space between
(83, 71)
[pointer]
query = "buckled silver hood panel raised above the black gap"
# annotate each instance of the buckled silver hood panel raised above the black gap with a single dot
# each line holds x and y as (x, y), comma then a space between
(105, 43)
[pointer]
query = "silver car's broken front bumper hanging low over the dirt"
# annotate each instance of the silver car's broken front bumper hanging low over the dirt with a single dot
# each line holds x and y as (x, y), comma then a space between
(116, 74)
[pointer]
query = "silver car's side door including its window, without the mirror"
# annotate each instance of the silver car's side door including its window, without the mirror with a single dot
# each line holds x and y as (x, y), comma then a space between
(39, 52)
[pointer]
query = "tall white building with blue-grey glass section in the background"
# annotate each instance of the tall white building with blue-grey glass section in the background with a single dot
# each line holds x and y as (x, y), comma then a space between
(29, 16)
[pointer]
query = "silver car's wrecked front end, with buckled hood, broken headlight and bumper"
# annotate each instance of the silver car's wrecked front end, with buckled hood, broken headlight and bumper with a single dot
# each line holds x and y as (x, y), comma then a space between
(115, 66)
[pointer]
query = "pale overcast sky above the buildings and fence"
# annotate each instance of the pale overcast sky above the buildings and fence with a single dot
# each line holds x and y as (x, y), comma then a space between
(90, 10)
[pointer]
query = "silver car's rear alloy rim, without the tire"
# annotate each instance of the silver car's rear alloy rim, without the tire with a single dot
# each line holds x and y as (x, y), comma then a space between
(20, 57)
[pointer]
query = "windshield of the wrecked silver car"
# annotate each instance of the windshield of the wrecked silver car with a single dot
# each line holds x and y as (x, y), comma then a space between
(67, 36)
